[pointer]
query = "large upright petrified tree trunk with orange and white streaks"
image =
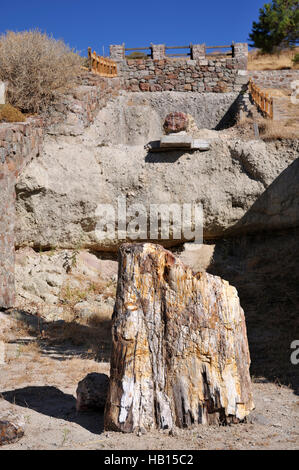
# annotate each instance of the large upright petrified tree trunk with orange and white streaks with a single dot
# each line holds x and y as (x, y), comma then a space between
(180, 353)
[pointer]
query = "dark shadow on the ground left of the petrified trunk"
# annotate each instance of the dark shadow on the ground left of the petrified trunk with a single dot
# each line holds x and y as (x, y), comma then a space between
(53, 402)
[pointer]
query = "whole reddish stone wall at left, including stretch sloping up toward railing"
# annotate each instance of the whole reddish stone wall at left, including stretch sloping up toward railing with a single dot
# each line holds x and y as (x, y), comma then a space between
(20, 142)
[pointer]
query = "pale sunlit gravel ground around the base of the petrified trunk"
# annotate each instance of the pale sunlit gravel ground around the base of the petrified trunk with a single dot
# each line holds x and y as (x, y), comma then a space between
(42, 387)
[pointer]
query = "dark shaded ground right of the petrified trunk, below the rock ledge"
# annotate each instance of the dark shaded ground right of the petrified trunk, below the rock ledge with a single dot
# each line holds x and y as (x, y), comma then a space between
(265, 270)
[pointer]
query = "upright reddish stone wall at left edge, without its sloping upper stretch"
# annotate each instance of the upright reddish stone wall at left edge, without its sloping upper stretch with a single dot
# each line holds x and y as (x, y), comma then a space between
(19, 143)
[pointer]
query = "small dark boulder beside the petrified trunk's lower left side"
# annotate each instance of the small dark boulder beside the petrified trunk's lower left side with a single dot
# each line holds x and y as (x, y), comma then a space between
(92, 392)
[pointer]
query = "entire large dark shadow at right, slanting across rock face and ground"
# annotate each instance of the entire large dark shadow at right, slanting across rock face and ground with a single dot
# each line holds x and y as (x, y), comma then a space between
(264, 267)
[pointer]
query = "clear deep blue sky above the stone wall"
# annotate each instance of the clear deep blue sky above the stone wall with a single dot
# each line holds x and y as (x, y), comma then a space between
(83, 23)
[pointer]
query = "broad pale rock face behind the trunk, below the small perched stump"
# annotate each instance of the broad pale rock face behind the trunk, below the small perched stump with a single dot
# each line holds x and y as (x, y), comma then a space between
(59, 192)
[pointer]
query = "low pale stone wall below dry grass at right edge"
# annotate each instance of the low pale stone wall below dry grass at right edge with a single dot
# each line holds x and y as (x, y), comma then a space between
(274, 78)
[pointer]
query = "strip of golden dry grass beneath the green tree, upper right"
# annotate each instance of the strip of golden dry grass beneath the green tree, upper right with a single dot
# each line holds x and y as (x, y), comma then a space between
(283, 60)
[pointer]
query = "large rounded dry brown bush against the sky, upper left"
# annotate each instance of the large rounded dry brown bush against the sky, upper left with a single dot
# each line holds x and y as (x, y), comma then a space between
(36, 67)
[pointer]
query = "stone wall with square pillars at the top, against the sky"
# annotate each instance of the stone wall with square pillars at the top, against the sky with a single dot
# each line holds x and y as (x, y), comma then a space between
(200, 74)
